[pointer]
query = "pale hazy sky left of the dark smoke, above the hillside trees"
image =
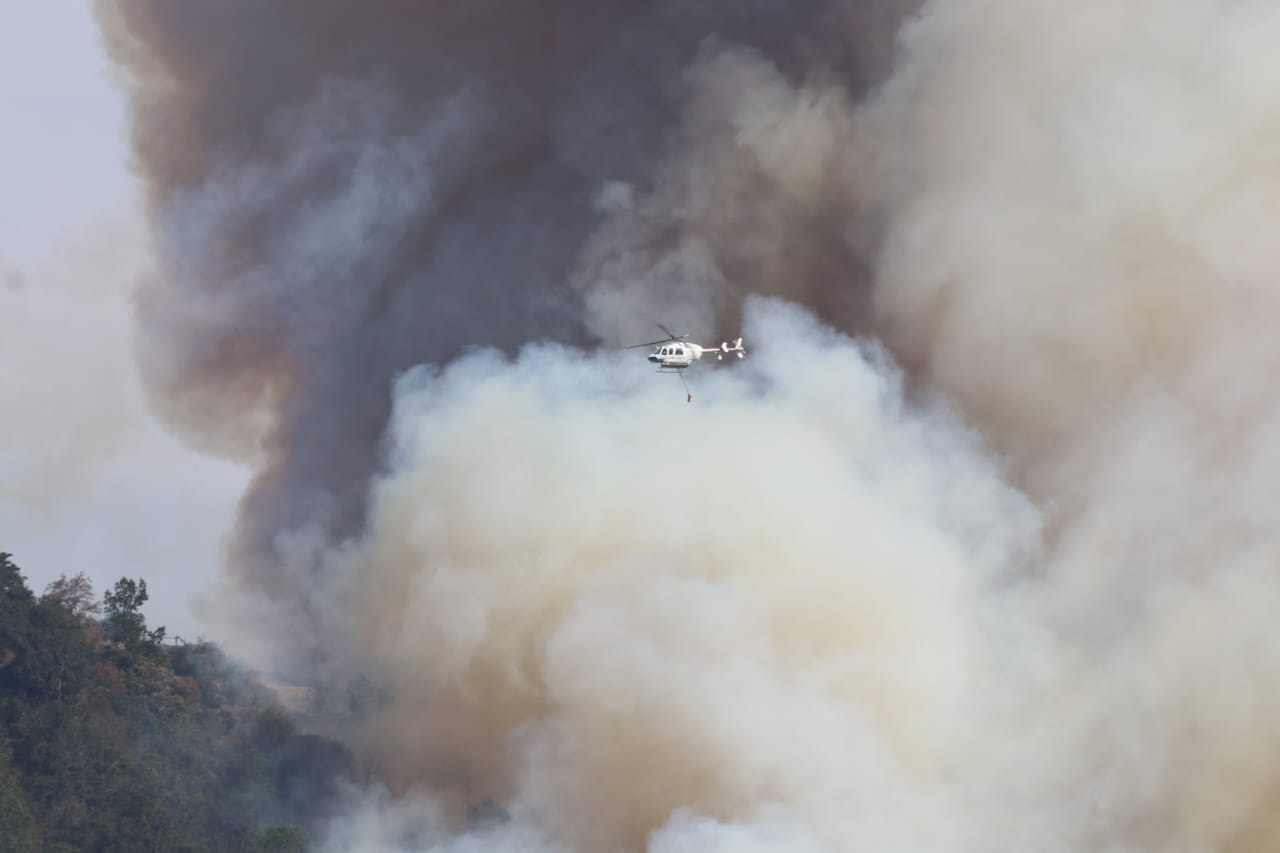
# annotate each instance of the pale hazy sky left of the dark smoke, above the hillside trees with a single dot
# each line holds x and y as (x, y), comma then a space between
(89, 481)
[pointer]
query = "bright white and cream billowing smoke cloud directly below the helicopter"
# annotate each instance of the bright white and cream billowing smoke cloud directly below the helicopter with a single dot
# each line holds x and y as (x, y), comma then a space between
(783, 613)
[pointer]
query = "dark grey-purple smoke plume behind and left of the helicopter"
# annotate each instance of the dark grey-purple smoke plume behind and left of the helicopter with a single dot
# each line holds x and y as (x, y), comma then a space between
(341, 191)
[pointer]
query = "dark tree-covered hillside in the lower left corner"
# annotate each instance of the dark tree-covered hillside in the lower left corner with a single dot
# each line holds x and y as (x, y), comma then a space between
(113, 741)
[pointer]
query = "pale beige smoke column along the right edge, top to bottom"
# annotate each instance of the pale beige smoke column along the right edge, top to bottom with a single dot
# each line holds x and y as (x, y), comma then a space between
(1078, 253)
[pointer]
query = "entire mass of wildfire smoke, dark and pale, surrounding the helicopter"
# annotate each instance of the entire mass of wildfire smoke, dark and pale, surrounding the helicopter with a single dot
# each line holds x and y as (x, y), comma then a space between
(976, 551)
